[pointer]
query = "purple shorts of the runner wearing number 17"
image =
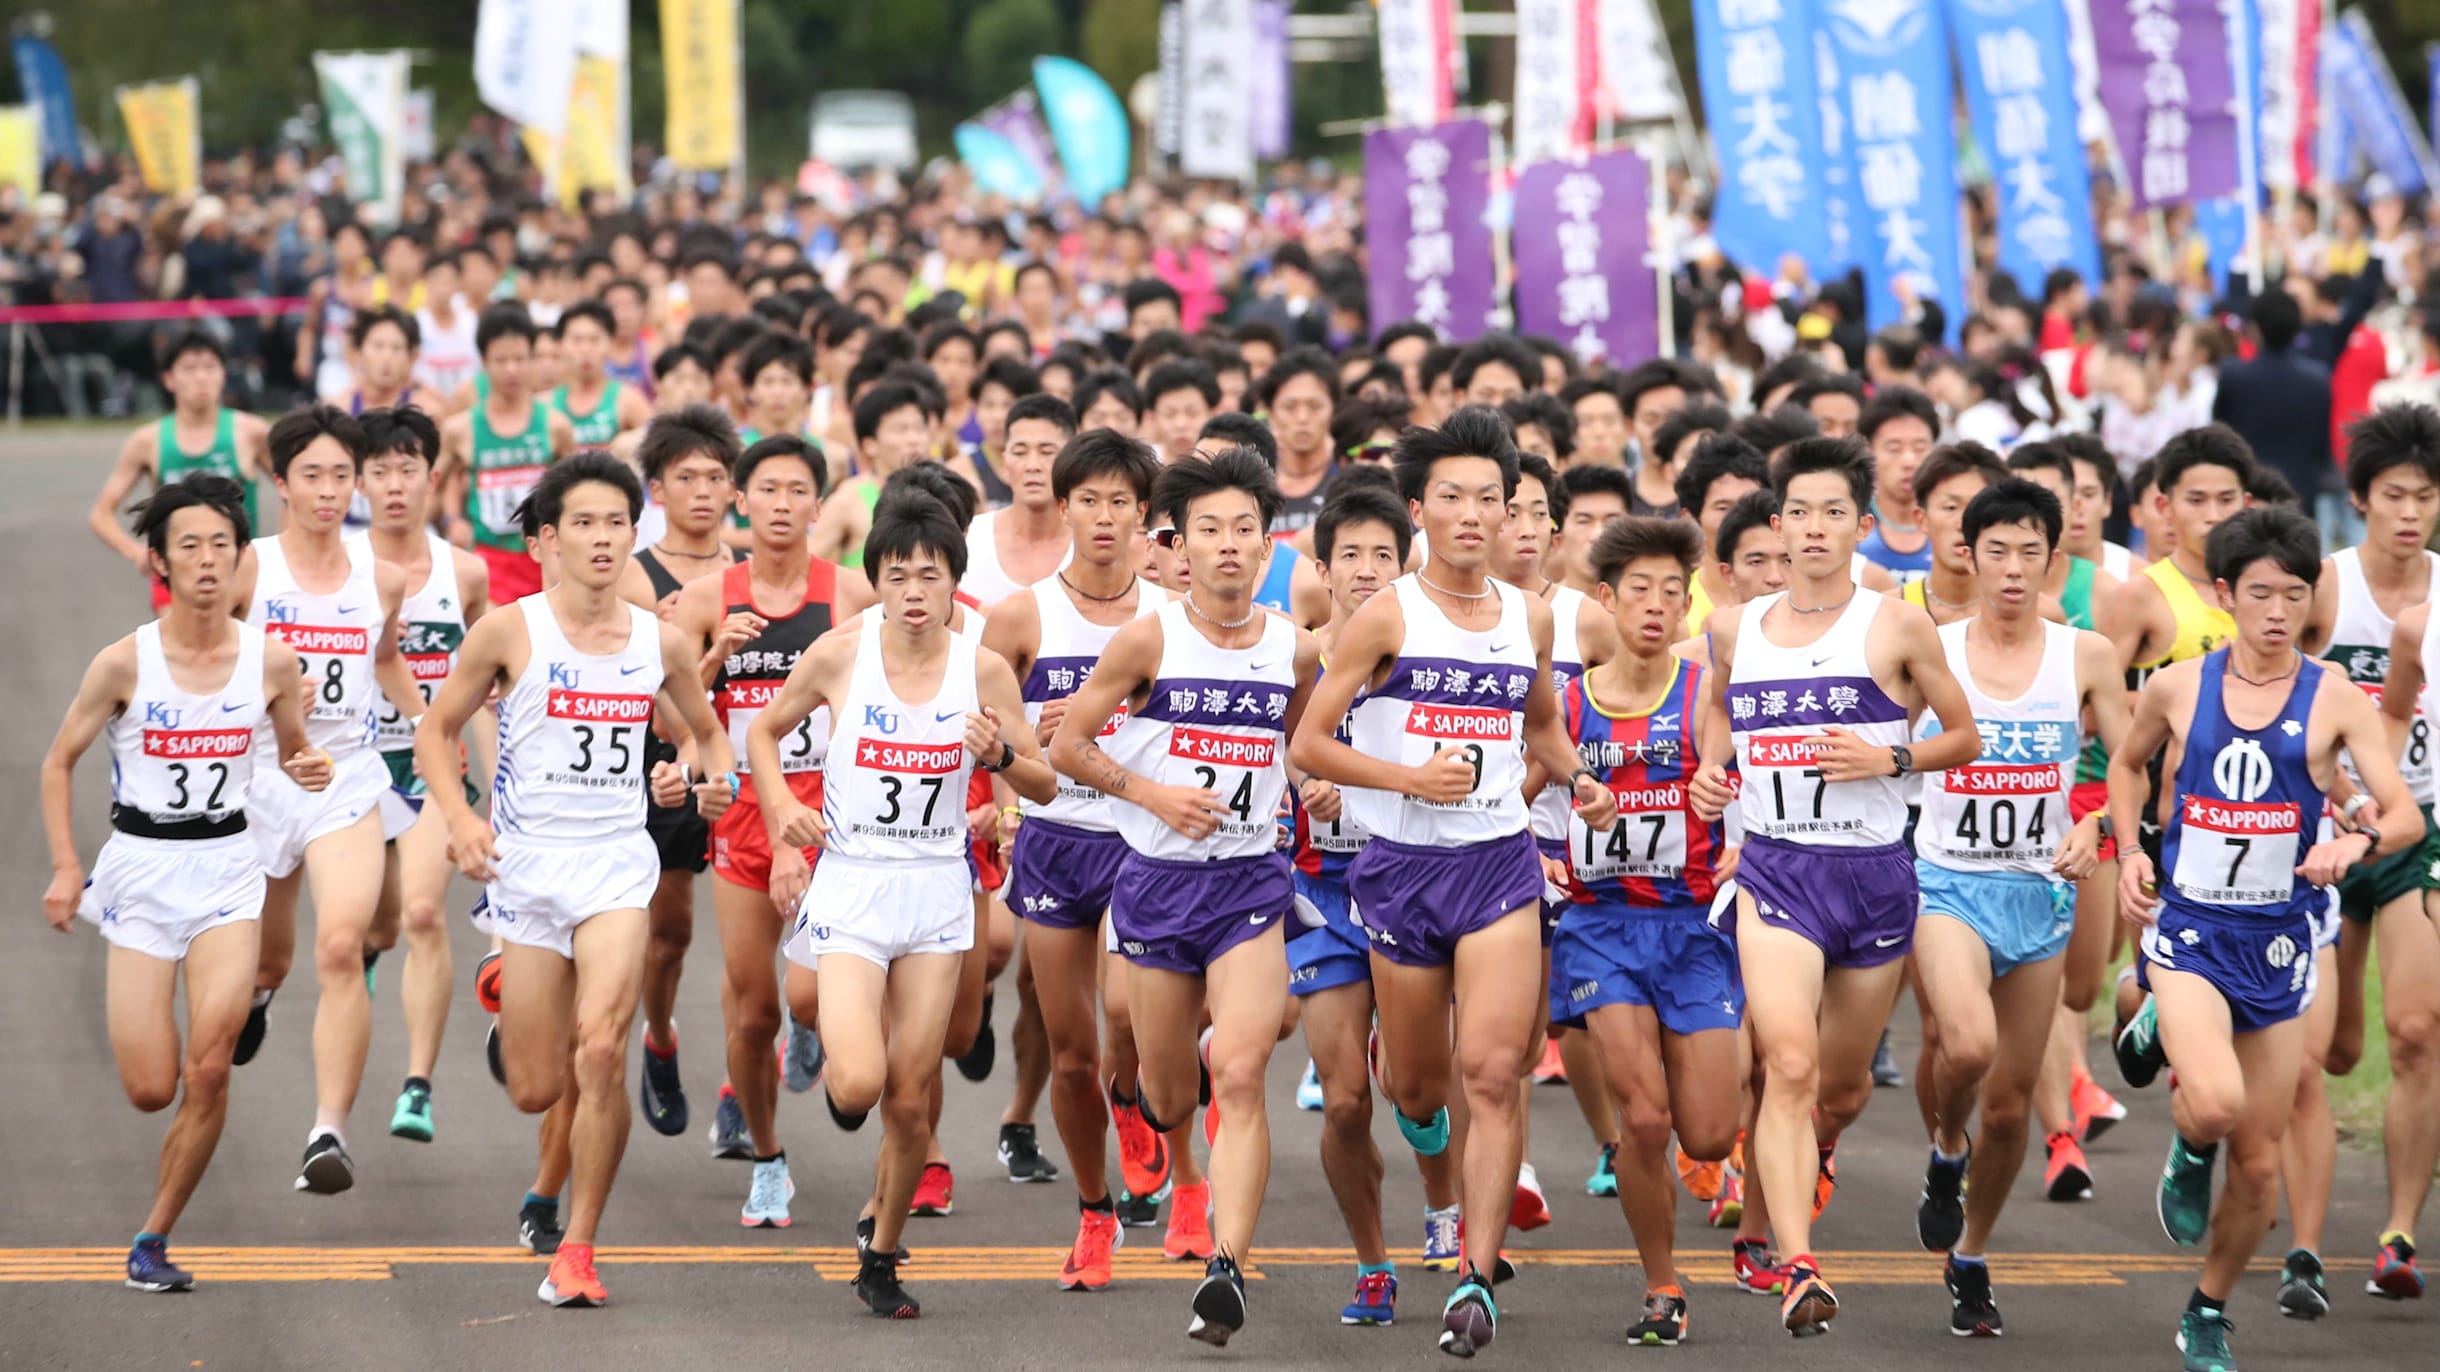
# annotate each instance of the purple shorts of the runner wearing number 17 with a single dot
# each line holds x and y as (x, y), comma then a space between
(1858, 904)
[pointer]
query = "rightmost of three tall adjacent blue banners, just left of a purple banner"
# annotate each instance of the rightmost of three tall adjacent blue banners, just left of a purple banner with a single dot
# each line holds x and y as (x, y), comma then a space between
(2022, 96)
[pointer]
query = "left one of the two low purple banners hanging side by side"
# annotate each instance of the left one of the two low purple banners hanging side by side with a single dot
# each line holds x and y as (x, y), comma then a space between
(1429, 240)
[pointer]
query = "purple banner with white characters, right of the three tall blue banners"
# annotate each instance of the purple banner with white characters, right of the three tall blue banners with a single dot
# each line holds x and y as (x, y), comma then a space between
(2173, 99)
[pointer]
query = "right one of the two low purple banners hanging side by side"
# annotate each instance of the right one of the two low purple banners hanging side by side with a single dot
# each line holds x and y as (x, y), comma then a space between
(1580, 255)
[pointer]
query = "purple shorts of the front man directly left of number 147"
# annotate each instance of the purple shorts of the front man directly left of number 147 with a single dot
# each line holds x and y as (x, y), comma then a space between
(1419, 902)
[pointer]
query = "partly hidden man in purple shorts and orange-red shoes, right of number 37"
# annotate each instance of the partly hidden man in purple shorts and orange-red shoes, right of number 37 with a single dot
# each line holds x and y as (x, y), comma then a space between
(1065, 853)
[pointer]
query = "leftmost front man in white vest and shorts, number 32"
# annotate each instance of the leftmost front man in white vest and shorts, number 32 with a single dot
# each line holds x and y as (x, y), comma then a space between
(179, 880)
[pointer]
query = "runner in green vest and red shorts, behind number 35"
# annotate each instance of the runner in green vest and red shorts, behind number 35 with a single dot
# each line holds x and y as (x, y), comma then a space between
(497, 453)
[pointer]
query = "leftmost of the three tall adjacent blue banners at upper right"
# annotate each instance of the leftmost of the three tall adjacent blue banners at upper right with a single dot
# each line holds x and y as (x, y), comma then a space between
(1763, 104)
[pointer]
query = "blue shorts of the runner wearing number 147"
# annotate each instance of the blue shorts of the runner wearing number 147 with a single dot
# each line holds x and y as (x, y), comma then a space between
(1673, 961)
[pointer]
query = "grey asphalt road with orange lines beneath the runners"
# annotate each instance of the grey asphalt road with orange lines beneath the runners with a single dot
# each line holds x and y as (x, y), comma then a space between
(418, 1266)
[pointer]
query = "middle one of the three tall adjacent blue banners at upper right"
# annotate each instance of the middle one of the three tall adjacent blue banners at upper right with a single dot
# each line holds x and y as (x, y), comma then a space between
(1895, 70)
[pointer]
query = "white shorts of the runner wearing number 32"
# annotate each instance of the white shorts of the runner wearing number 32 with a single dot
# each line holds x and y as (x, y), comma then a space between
(155, 895)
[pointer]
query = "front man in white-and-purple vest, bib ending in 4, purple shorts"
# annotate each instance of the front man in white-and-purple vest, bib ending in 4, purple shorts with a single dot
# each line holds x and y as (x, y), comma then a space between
(1211, 690)
